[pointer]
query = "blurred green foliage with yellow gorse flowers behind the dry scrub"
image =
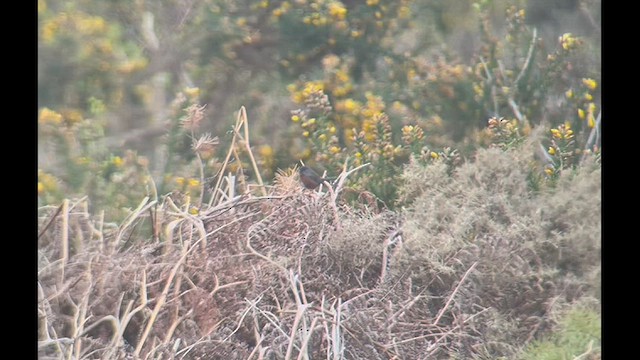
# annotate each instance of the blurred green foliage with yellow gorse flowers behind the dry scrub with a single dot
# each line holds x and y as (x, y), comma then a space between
(126, 87)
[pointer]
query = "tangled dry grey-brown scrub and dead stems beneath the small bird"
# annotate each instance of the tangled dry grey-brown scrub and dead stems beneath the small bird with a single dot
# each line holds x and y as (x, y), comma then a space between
(472, 268)
